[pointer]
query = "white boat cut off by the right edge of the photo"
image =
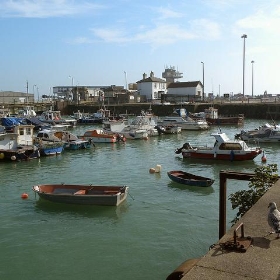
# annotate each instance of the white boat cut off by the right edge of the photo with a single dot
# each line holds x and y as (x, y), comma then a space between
(264, 134)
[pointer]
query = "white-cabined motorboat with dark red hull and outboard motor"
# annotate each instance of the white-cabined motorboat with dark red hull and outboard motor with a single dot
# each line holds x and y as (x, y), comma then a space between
(223, 149)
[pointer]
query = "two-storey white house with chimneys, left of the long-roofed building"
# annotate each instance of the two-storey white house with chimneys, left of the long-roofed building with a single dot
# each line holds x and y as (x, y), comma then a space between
(151, 87)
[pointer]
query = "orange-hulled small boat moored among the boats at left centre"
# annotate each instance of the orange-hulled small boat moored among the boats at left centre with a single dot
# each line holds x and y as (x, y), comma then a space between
(101, 136)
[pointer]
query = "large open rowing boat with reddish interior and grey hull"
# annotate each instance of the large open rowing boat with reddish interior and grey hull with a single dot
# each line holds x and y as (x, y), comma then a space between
(83, 194)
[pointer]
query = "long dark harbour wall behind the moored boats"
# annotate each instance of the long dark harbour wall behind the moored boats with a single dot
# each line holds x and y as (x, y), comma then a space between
(269, 111)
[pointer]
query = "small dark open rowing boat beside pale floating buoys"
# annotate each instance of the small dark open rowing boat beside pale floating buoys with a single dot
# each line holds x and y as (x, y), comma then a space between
(185, 178)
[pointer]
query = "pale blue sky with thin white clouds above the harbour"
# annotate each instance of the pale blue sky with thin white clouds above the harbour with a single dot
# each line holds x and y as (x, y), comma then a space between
(48, 43)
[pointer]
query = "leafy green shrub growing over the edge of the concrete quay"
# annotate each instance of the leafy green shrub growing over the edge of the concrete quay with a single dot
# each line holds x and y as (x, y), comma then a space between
(262, 181)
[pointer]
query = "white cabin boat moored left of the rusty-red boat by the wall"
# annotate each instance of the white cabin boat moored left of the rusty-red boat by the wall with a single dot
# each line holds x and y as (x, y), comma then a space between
(181, 119)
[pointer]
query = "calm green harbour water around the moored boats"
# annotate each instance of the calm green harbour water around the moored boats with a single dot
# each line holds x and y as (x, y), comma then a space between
(160, 225)
